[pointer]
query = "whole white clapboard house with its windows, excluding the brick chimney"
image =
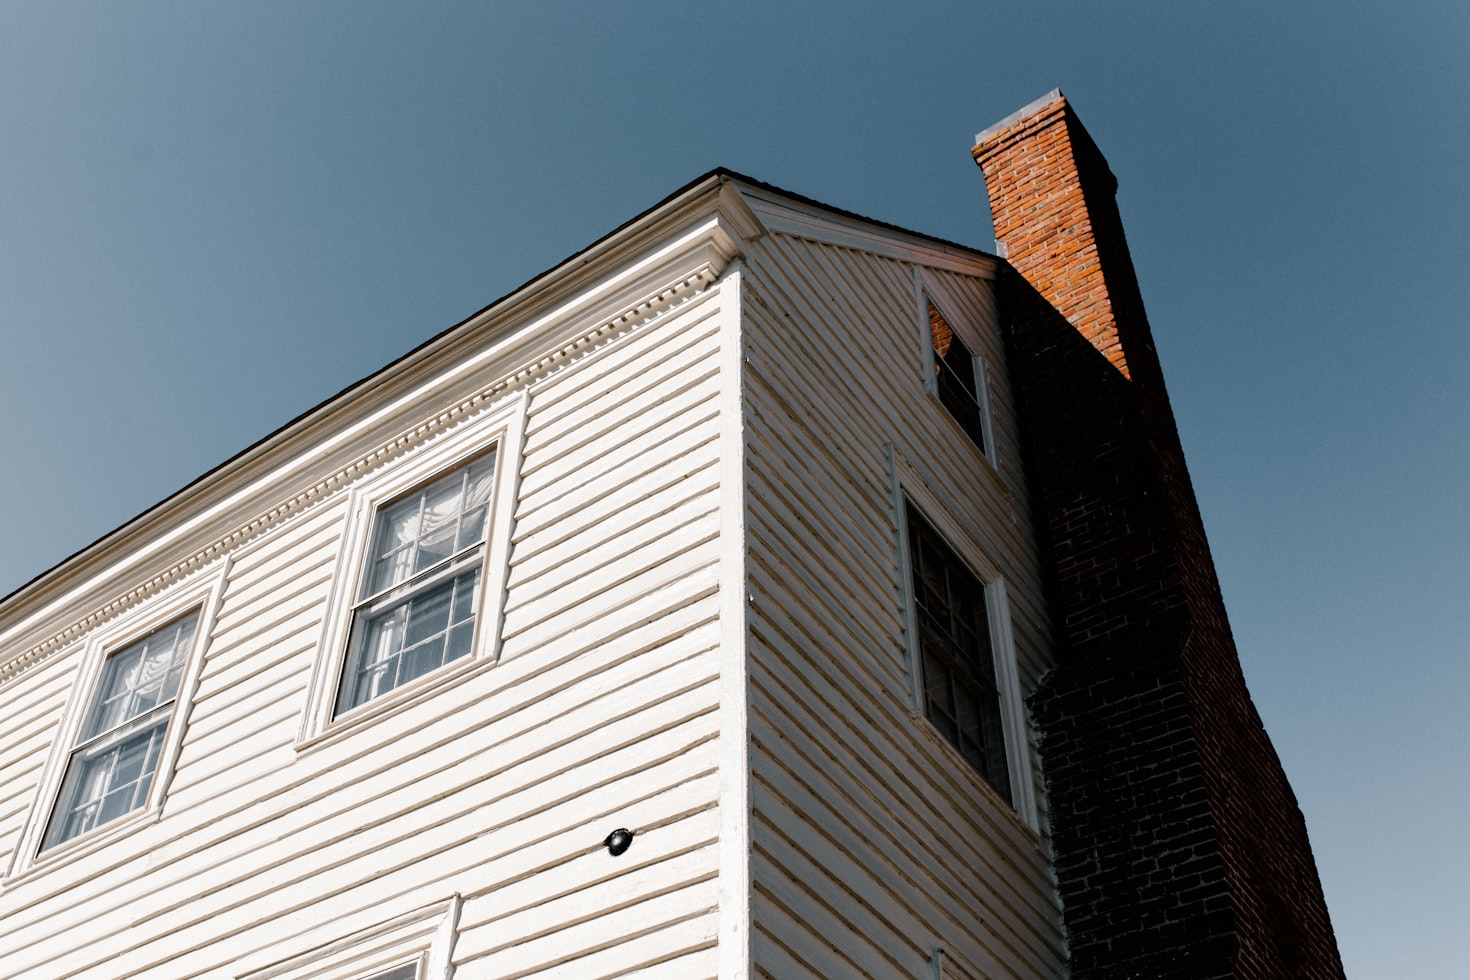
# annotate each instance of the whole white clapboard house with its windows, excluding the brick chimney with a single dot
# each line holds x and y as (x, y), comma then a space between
(714, 536)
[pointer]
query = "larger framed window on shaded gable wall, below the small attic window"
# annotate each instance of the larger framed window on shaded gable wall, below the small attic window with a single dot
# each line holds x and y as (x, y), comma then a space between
(962, 660)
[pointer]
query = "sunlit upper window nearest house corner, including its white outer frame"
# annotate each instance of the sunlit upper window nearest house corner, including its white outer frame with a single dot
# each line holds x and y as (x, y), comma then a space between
(421, 586)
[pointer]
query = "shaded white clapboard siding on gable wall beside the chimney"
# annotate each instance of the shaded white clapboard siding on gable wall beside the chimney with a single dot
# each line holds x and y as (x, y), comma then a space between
(874, 843)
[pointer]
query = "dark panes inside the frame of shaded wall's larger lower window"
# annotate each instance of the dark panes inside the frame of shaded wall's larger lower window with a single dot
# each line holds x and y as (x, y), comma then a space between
(956, 652)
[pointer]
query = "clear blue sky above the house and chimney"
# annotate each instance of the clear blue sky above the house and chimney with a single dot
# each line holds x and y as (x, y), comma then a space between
(215, 217)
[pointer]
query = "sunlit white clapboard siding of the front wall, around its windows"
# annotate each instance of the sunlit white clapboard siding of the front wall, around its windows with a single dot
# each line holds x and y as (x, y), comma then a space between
(600, 712)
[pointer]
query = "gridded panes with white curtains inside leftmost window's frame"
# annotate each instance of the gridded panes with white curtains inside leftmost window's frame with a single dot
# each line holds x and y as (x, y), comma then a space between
(117, 756)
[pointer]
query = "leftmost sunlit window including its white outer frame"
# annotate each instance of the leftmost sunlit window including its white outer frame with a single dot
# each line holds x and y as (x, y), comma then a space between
(120, 737)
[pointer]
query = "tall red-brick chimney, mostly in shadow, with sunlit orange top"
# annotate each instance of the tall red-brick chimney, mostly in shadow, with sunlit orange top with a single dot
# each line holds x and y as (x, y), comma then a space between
(1180, 847)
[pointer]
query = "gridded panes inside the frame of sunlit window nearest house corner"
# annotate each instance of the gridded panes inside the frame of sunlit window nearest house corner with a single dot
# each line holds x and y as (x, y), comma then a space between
(417, 608)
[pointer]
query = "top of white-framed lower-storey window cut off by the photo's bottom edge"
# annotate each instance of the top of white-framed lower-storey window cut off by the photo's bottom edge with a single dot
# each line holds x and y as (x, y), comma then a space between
(418, 945)
